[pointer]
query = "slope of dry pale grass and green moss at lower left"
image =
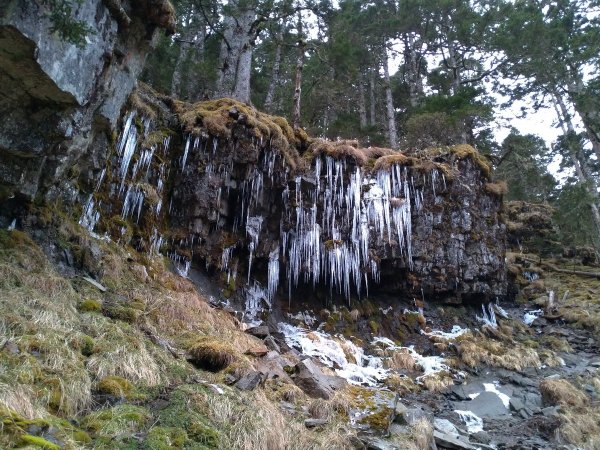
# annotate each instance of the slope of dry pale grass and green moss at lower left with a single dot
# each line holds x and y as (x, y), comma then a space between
(72, 376)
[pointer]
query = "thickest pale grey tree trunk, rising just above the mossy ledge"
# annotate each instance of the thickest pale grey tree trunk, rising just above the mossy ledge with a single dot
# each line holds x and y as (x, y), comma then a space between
(236, 55)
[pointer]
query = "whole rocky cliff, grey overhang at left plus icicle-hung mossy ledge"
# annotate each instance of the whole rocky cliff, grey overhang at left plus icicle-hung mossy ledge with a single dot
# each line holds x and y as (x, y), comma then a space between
(221, 184)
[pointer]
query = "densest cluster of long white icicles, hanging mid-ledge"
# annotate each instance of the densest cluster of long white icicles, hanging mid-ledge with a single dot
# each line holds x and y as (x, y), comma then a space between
(336, 221)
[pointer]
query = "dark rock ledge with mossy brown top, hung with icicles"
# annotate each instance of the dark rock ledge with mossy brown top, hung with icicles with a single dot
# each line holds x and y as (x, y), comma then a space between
(223, 185)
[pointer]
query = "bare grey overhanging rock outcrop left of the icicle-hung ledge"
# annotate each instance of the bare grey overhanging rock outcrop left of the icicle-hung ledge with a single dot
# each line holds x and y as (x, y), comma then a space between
(59, 102)
